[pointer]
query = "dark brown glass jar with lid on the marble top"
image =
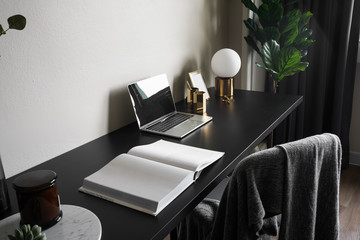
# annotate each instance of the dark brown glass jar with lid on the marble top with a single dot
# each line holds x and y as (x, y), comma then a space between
(38, 199)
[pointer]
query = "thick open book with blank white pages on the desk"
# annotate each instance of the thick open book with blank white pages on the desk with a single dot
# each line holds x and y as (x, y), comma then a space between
(149, 177)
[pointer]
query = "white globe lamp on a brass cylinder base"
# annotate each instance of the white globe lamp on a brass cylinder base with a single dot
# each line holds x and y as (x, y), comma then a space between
(225, 64)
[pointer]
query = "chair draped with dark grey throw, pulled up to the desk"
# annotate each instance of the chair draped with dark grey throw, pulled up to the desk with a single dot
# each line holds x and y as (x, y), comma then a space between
(299, 180)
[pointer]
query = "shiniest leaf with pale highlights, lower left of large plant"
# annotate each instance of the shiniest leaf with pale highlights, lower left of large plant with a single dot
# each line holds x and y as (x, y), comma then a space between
(270, 54)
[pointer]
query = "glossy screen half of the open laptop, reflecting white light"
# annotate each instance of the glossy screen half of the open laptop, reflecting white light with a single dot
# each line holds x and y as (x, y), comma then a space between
(151, 99)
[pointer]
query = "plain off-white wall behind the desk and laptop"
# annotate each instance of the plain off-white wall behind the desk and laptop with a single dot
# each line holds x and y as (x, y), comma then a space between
(63, 78)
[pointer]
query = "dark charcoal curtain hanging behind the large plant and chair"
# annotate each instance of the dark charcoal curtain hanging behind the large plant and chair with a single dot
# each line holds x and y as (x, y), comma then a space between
(327, 85)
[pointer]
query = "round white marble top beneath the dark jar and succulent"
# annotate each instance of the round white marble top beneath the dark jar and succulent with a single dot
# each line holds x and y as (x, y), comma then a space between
(76, 223)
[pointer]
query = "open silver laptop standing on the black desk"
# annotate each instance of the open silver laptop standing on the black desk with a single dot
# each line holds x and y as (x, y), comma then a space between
(155, 110)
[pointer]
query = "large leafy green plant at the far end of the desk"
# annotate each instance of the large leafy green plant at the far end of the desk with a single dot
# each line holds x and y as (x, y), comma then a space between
(280, 39)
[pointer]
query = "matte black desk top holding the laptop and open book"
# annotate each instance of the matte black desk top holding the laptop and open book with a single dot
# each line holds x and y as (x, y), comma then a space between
(236, 129)
